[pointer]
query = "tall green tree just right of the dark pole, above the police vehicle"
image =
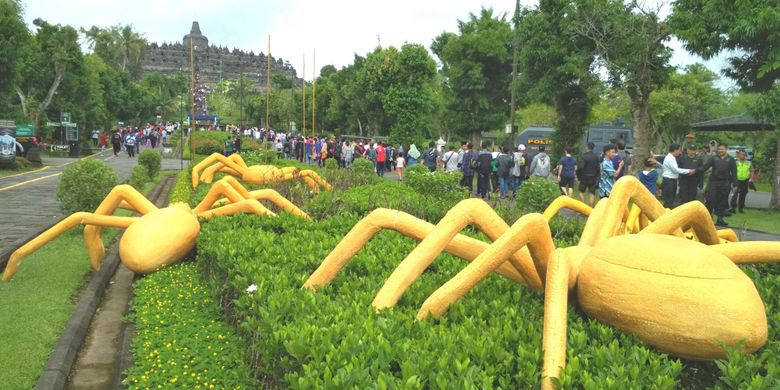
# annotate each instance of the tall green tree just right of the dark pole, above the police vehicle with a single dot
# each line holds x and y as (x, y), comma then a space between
(555, 64)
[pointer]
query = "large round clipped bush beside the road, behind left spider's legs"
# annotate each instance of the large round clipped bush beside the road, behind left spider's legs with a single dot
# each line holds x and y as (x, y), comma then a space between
(84, 184)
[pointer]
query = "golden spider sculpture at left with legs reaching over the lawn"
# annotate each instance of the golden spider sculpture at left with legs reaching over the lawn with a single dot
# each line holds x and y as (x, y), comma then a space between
(159, 237)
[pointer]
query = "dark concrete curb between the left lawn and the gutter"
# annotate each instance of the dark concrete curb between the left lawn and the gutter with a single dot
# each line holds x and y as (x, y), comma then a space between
(55, 375)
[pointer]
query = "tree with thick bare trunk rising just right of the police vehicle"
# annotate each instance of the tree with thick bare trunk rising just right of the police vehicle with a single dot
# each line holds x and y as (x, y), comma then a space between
(630, 42)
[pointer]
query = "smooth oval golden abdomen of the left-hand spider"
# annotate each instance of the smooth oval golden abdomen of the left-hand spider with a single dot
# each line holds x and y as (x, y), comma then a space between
(160, 238)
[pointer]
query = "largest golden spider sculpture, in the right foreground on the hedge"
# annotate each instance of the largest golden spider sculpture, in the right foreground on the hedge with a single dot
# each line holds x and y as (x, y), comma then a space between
(679, 295)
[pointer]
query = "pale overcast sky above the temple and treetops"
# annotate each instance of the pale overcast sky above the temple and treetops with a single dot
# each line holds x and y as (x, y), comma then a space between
(337, 29)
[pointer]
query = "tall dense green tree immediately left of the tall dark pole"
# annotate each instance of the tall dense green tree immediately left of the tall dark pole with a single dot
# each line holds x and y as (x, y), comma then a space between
(476, 69)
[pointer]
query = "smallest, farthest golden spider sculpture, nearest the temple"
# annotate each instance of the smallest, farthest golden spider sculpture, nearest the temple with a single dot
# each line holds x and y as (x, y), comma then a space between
(256, 174)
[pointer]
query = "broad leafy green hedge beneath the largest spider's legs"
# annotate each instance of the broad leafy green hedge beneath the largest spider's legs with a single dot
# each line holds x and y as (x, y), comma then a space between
(334, 339)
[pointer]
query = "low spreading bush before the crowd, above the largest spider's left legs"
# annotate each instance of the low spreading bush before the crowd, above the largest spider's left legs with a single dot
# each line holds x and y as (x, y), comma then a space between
(437, 184)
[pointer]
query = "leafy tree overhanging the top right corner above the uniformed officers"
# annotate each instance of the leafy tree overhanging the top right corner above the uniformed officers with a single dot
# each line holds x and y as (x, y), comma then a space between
(750, 29)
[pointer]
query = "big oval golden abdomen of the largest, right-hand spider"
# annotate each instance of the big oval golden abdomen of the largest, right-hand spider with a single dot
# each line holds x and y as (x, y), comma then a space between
(677, 295)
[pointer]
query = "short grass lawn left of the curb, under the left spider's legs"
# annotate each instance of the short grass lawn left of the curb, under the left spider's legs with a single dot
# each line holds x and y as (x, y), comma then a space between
(37, 303)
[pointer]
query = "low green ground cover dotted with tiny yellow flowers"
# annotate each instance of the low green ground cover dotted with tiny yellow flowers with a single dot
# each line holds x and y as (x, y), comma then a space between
(182, 339)
